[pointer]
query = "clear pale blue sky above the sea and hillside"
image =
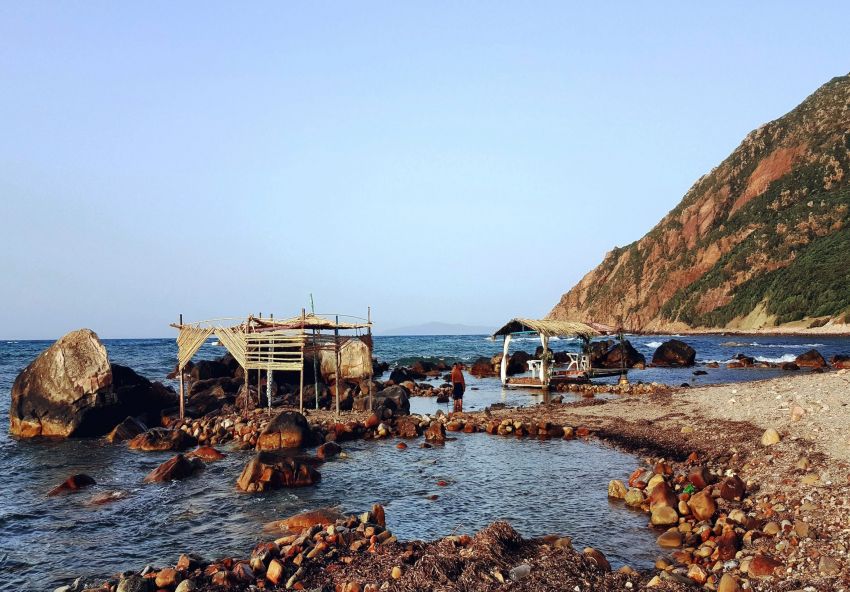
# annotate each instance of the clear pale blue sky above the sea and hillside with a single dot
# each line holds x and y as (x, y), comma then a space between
(455, 161)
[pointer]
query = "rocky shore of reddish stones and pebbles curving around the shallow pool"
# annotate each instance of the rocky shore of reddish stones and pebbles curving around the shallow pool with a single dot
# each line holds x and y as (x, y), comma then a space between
(737, 505)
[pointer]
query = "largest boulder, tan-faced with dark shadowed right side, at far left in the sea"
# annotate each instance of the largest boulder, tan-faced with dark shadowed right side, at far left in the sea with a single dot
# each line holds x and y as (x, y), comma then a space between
(71, 390)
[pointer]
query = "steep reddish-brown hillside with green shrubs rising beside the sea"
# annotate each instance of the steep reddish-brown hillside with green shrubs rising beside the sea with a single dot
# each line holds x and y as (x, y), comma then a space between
(761, 241)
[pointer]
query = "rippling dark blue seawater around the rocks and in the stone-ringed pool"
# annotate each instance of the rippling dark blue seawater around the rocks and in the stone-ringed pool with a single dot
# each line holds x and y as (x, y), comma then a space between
(540, 487)
